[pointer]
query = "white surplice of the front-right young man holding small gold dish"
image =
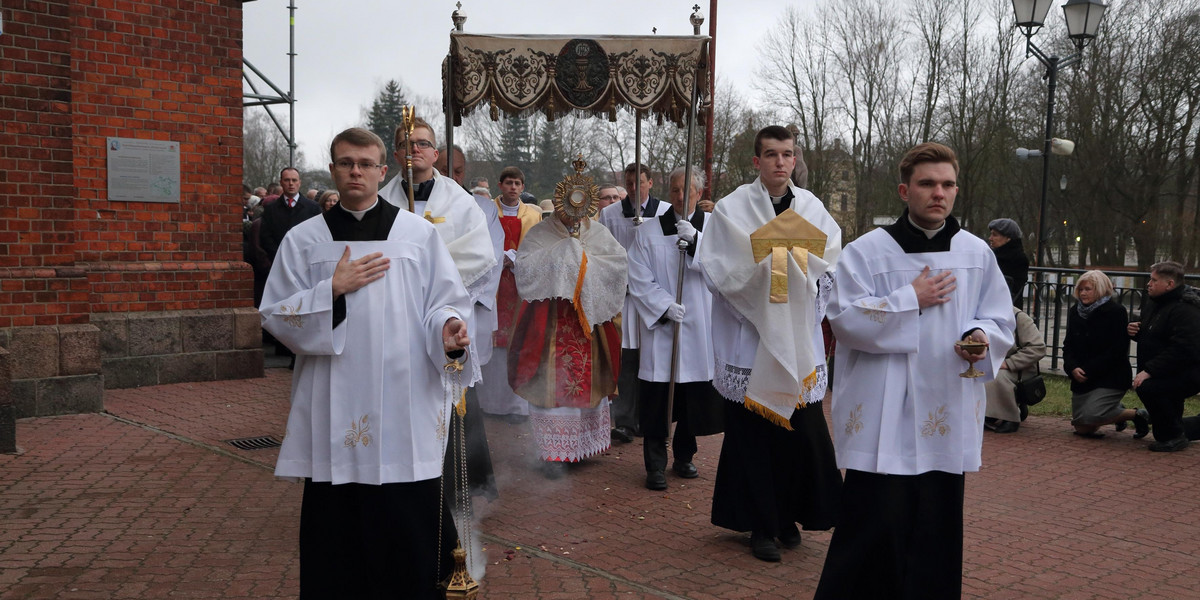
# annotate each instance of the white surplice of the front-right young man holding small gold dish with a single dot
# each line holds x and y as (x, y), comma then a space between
(899, 405)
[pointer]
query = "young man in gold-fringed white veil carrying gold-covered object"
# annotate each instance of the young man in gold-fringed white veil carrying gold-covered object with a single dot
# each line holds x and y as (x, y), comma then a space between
(769, 254)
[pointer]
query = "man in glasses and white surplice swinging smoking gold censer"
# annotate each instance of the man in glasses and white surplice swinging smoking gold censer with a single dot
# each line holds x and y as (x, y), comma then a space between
(370, 301)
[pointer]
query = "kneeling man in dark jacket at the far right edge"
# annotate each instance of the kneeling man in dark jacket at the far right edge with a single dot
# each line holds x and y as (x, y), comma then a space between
(1168, 353)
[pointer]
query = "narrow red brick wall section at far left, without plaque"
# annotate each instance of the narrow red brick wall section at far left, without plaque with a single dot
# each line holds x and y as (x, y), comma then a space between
(39, 285)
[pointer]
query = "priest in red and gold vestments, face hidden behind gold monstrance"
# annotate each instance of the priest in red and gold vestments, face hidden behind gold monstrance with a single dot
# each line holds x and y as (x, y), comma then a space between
(566, 349)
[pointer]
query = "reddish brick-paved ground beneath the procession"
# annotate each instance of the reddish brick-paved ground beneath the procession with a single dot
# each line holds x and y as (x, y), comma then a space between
(148, 502)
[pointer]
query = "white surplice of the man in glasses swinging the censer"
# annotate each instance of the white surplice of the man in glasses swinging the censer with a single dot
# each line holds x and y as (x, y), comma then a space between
(370, 399)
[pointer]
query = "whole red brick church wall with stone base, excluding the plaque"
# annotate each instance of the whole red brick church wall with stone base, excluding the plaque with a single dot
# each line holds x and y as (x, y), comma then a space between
(95, 293)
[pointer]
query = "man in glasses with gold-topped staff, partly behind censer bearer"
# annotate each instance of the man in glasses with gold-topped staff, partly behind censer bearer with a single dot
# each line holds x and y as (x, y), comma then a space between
(464, 227)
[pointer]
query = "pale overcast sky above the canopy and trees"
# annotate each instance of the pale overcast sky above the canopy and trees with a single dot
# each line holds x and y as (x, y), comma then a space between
(347, 51)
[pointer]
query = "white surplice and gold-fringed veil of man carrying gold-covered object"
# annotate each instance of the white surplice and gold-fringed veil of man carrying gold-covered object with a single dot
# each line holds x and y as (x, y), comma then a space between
(763, 347)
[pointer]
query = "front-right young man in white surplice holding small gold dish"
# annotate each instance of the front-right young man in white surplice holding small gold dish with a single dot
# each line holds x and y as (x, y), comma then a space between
(907, 425)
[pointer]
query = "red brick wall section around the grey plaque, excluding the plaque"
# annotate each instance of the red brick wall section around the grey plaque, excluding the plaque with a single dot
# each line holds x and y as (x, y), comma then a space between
(166, 70)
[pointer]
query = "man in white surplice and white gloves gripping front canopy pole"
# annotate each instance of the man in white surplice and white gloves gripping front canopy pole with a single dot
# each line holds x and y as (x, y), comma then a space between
(653, 283)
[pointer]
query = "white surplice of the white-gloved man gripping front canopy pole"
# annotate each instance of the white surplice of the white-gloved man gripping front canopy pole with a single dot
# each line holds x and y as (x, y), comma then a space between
(653, 280)
